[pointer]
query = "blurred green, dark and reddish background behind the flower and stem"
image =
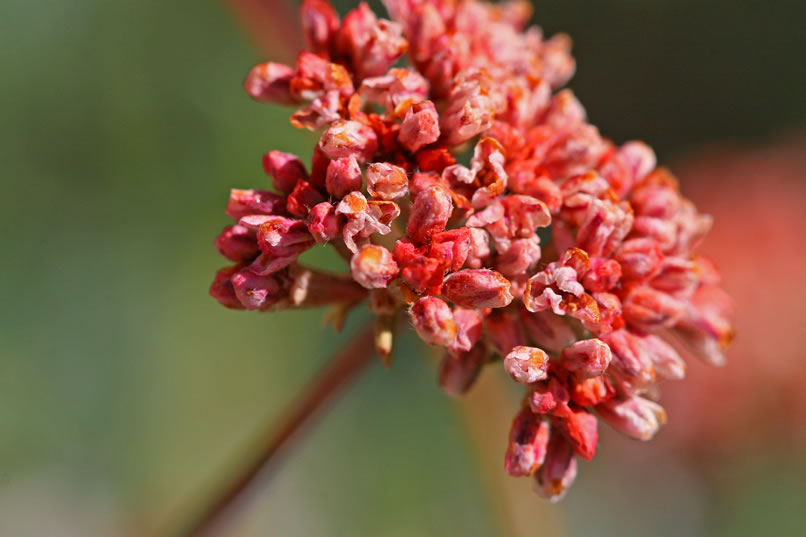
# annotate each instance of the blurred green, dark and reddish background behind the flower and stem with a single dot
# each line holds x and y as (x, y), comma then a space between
(127, 393)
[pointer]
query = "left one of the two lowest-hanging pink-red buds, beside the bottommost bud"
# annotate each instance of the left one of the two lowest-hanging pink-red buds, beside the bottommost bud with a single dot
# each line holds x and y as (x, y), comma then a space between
(528, 441)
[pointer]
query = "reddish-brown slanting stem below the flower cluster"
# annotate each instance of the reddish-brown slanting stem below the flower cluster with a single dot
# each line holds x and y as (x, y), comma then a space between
(336, 375)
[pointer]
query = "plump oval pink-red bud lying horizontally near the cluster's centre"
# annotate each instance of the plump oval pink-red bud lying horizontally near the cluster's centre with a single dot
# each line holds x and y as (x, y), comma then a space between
(478, 288)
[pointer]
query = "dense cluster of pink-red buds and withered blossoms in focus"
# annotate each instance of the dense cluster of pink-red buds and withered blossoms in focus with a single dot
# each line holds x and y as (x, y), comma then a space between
(550, 249)
